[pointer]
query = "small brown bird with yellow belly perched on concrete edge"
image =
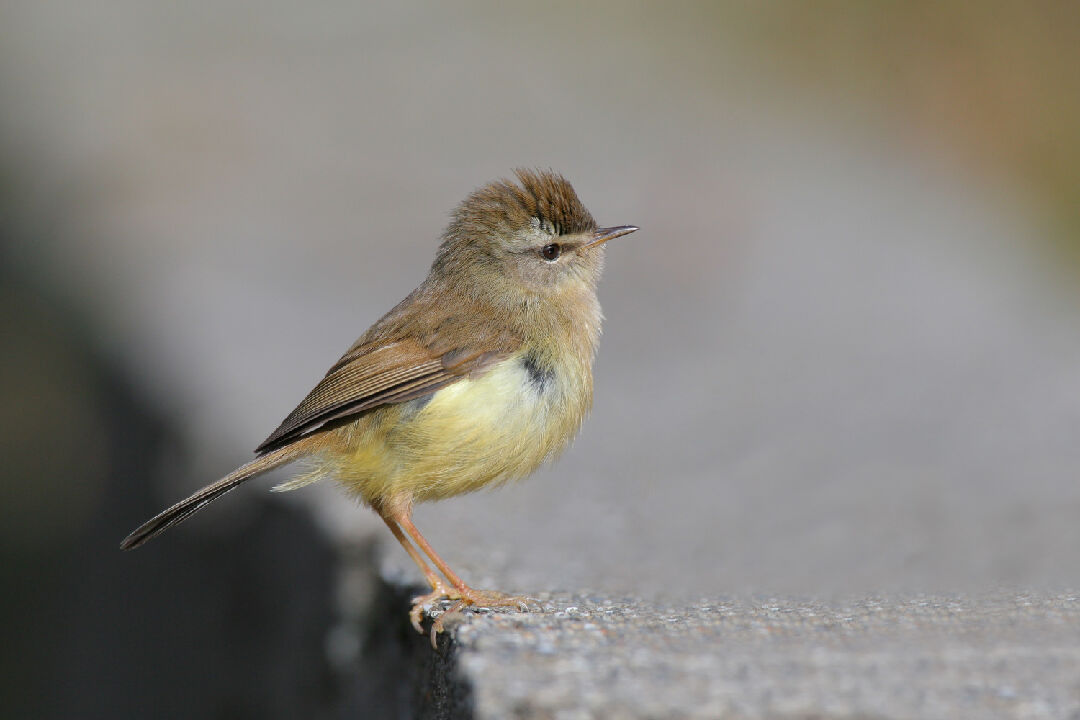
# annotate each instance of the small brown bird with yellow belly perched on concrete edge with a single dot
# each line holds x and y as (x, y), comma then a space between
(478, 377)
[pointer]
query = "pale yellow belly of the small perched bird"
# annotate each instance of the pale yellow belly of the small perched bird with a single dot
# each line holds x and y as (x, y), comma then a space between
(476, 433)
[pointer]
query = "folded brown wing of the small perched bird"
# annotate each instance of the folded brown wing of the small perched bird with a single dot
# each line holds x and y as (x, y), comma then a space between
(368, 377)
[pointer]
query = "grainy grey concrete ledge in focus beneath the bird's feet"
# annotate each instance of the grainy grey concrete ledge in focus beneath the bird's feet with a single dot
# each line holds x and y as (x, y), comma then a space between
(1003, 656)
